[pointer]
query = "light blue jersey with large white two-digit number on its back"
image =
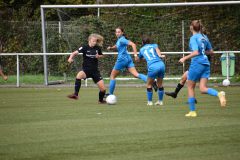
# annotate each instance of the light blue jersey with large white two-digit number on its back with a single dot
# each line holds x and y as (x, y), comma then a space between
(148, 51)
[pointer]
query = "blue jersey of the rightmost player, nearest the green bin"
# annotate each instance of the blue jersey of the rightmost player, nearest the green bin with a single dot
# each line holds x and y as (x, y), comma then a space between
(200, 42)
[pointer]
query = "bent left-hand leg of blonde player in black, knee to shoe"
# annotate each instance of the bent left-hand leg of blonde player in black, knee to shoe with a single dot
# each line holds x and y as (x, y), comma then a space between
(80, 75)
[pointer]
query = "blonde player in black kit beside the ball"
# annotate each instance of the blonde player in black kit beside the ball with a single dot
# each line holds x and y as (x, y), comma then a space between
(91, 53)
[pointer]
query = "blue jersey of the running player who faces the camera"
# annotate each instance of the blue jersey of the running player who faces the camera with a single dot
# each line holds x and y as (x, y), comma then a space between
(122, 44)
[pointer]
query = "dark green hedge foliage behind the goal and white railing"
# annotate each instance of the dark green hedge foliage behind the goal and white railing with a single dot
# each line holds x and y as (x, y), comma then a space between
(21, 31)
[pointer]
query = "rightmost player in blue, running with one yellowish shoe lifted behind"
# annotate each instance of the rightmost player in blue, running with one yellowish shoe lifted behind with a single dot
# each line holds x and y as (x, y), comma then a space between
(199, 69)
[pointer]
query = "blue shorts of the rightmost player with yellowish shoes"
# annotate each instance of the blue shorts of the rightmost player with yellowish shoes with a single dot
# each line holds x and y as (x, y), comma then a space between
(198, 71)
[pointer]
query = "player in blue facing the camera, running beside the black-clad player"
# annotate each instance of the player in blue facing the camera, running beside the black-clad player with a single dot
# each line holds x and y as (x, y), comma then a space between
(124, 60)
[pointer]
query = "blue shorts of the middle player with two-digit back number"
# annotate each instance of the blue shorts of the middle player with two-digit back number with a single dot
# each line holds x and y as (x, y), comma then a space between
(156, 70)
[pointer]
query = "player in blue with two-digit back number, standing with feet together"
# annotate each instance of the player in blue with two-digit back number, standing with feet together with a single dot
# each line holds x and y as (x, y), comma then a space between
(156, 69)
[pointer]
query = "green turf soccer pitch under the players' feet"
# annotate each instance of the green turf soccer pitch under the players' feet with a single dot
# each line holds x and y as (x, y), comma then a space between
(41, 123)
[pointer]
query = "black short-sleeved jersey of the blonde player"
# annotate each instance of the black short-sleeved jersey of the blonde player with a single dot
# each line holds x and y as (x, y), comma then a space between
(90, 62)
